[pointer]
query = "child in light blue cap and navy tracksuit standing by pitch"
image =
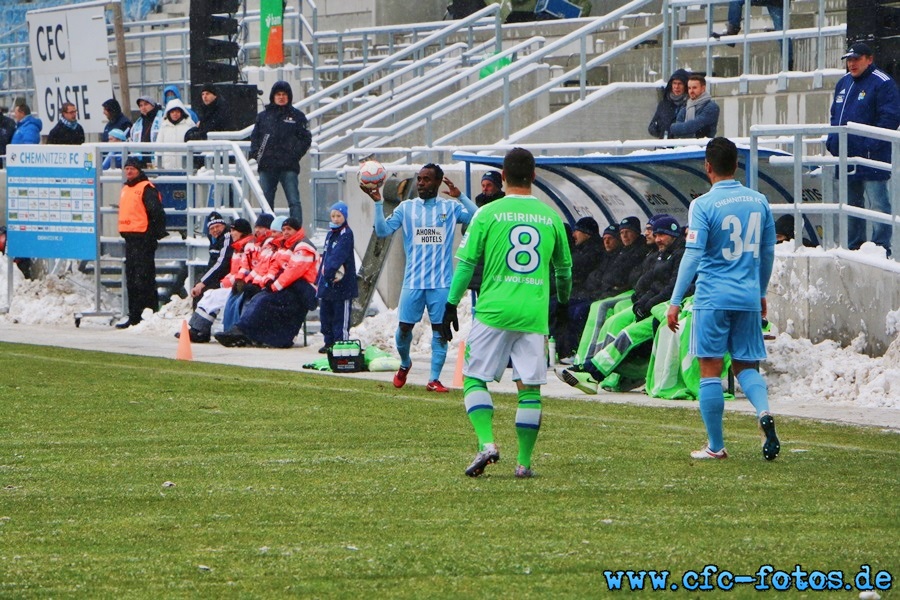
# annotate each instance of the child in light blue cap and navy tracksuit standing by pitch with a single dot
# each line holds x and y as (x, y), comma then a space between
(336, 284)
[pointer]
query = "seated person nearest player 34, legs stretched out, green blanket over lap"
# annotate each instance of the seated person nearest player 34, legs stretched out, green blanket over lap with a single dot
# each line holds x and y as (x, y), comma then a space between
(633, 327)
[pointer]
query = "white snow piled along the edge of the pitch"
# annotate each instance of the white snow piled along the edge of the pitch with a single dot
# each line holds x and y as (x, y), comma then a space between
(797, 370)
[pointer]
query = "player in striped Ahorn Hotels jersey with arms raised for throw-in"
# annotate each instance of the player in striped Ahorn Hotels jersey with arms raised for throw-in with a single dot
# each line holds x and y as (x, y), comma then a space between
(428, 223)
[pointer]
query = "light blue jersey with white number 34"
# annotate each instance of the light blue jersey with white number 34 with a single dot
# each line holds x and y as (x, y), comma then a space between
(730, 225)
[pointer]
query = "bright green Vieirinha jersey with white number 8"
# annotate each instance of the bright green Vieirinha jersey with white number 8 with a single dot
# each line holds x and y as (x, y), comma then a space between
(519, 237)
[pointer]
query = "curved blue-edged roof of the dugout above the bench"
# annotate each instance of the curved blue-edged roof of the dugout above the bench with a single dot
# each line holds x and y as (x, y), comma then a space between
(644, 183)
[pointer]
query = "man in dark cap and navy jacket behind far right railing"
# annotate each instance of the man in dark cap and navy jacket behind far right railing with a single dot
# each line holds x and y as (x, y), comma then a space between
(866, 95)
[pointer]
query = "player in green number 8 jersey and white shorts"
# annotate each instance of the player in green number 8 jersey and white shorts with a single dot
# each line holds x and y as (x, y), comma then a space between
(519, 237)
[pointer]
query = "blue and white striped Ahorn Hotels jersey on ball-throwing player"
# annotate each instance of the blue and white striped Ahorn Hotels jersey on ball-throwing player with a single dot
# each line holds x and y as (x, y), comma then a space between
(428, 227)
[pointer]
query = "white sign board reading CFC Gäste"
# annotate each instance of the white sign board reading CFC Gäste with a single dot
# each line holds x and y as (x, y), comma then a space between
(70, 61)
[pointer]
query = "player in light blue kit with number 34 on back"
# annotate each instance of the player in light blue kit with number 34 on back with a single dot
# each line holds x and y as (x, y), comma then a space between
(731, 250)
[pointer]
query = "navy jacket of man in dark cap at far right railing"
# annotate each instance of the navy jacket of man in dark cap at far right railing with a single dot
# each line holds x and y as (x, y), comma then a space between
(870, 99)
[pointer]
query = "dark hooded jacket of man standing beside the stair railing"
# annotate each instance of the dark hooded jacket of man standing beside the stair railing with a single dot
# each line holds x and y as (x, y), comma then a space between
(281, 136)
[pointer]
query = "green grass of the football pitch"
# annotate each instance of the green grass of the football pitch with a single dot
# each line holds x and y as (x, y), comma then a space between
(296, 484)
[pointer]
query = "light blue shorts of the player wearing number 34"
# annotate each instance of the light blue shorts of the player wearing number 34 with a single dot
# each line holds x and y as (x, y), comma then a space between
(715, 332)
